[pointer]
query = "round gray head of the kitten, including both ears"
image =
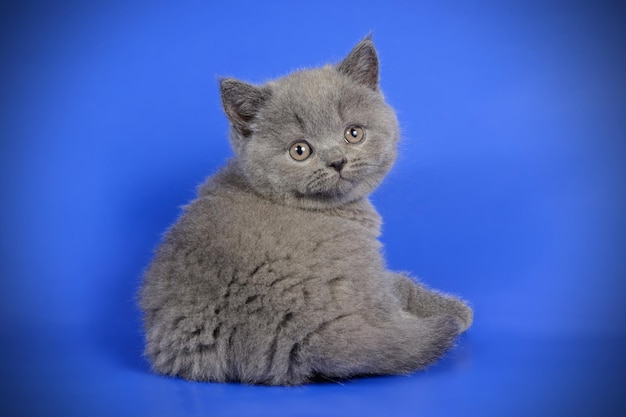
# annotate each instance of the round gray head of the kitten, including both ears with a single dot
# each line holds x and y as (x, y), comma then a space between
(316, 138)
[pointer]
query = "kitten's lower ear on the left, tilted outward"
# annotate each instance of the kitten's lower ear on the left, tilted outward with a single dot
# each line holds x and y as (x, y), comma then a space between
(241, 102)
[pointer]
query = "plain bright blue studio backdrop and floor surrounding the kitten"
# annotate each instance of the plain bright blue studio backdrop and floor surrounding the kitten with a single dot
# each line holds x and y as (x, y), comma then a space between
(509, 190)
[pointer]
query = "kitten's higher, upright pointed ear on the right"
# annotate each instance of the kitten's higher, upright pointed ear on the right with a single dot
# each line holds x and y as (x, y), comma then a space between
(362, 64)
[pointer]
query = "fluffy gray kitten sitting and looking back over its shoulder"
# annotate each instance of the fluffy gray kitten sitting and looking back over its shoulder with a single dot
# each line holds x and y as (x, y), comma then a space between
(274, 274)
